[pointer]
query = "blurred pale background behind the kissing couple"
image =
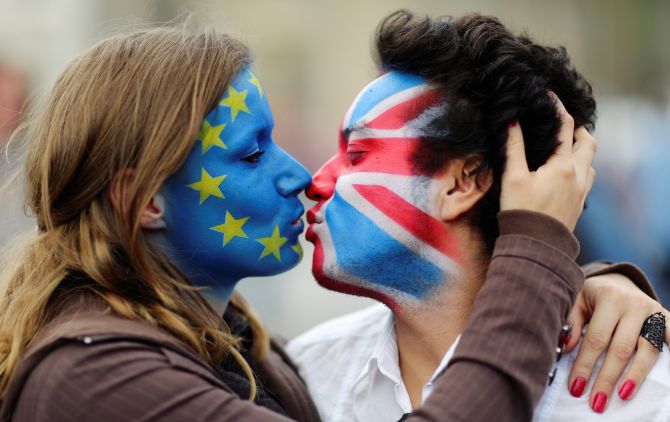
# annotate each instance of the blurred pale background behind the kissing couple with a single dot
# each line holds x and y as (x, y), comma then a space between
(314, 55)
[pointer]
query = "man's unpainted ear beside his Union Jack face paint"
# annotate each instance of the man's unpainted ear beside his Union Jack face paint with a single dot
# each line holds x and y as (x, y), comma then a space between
(462, 187)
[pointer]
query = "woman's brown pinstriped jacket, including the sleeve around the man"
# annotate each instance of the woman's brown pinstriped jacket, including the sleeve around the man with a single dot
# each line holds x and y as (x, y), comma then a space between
(86, 365)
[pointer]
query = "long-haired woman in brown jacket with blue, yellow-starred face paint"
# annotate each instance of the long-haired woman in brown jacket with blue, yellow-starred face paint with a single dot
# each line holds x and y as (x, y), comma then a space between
(156, 186)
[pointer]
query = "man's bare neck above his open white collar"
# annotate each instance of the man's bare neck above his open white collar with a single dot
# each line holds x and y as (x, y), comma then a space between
(425, 332)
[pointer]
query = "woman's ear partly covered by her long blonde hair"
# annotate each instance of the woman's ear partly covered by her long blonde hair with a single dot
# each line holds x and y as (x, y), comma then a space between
(152, 216)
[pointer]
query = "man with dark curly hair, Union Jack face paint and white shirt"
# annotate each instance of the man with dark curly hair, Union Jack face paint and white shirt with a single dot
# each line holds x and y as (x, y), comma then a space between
(408, 214)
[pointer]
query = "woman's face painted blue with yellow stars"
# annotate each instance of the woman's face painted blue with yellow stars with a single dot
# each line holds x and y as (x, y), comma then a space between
(232, 209)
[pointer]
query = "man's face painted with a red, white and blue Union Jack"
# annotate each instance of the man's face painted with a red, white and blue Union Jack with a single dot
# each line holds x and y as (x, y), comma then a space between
(375, 226)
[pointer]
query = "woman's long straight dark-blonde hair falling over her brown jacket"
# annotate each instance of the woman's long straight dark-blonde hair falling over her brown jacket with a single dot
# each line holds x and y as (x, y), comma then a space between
(130, 102)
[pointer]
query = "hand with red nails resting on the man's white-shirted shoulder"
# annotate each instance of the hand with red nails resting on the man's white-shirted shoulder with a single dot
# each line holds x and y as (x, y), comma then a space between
(616, 308)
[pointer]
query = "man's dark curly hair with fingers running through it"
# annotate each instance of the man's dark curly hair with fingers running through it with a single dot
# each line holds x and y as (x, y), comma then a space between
(488, 77)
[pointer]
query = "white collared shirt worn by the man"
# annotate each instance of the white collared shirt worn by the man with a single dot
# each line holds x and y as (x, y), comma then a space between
(351, 367)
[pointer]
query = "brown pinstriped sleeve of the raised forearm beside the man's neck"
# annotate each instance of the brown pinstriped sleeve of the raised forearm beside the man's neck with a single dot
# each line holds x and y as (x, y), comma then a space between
(500, 367)
